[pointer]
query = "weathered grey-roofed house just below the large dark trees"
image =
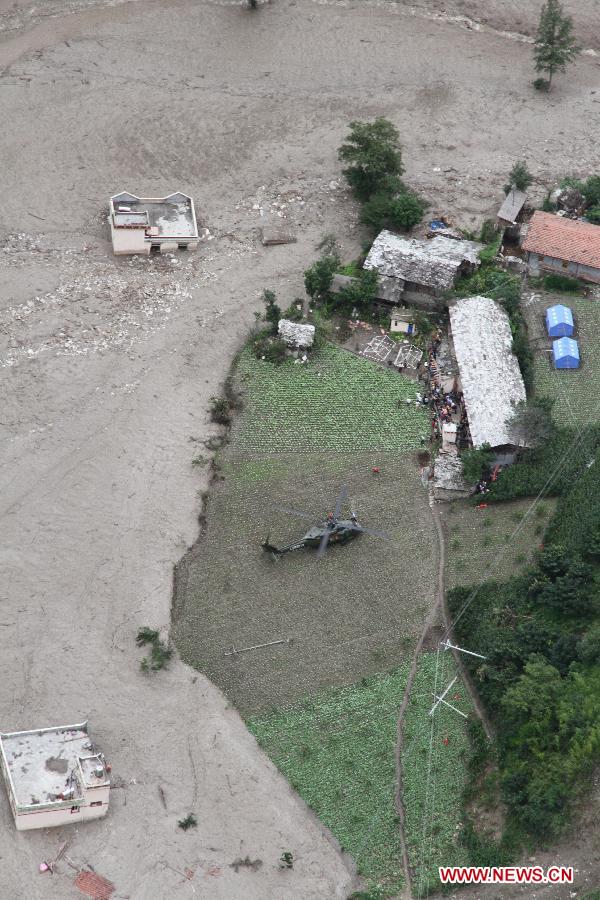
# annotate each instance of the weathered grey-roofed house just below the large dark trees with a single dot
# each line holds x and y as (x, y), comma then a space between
(420, 270)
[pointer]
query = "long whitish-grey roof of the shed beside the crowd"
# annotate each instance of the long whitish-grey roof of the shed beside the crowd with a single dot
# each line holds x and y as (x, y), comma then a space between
(489, 372)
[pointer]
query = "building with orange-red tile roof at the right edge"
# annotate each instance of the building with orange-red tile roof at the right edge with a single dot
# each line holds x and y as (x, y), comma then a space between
(567, 246)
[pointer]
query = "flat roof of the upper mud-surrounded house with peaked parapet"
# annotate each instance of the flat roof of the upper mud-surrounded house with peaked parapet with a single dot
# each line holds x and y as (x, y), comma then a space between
(173, 216)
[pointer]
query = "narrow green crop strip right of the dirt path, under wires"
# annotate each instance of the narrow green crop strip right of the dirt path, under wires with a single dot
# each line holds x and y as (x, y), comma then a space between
(435, 755)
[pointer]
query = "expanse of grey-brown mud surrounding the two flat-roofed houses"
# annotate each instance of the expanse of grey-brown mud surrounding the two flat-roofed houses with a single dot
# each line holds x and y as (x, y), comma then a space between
(108, 364)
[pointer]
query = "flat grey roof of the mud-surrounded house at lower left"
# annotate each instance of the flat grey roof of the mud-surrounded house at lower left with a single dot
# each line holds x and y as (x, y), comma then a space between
(40, 763)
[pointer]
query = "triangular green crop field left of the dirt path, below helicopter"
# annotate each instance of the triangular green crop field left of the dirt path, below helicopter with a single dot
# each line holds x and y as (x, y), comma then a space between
(338, 751)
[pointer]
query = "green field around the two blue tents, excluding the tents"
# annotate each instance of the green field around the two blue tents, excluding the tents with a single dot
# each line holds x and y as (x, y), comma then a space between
(576, 392)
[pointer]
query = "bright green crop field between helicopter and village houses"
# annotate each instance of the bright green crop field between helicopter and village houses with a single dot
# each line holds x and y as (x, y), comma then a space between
(336, 402)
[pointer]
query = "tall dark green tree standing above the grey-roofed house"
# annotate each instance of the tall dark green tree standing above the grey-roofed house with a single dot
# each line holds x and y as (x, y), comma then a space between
(372, 150)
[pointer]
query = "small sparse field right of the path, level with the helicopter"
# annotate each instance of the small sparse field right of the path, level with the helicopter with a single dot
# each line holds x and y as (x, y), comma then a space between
(496, 542)
